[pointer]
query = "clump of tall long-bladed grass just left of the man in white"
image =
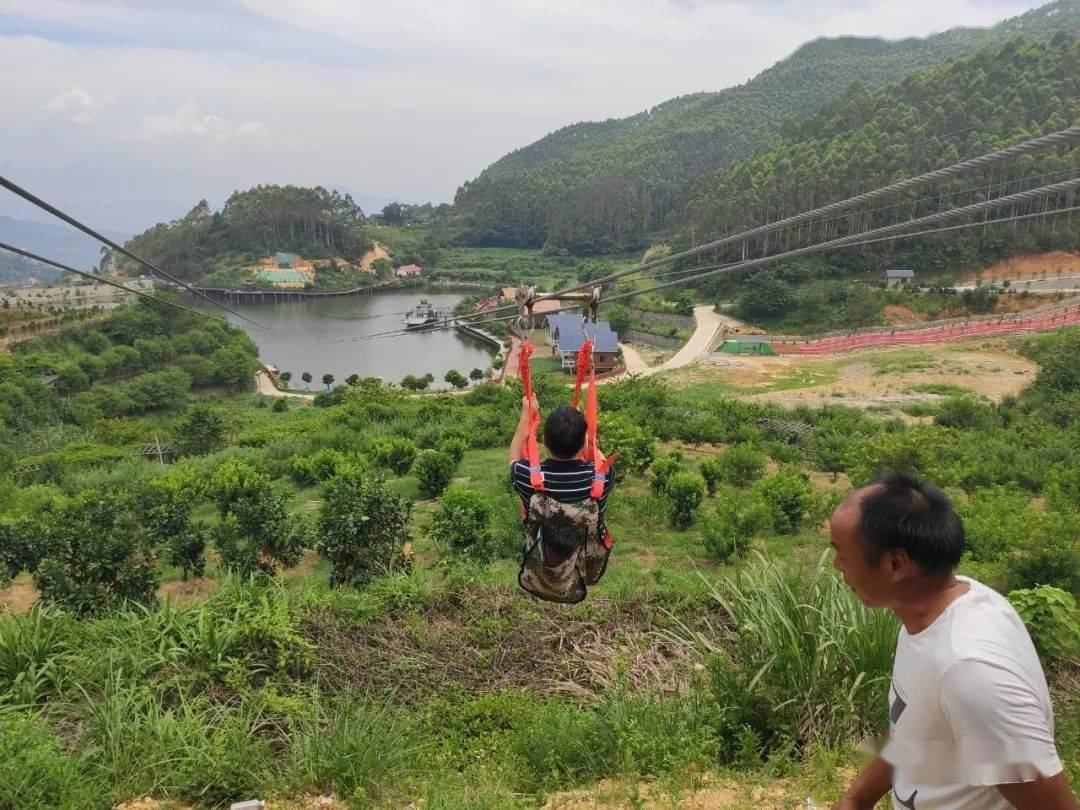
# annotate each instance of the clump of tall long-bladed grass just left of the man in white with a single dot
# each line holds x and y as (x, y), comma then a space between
(808, 663)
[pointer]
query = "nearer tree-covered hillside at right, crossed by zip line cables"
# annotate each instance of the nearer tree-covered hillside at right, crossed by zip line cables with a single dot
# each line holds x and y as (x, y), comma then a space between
(933, 118)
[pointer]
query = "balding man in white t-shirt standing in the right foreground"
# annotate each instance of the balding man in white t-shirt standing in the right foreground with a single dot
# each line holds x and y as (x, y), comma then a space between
(970, 719)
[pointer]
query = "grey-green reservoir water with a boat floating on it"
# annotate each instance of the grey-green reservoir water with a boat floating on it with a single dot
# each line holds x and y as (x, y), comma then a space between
(310, 335)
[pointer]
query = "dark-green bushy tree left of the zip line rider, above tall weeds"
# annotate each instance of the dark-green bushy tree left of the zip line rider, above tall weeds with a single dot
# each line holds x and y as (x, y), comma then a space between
(362, 528)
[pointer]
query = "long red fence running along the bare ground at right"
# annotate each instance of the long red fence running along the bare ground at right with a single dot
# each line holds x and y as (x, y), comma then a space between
(1004, 326)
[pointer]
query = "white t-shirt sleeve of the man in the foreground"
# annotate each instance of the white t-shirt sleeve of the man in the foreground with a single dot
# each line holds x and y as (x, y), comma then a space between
(1002, 728)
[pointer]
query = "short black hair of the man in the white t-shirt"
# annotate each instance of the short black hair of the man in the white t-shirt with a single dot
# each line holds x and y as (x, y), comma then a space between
(901, 511)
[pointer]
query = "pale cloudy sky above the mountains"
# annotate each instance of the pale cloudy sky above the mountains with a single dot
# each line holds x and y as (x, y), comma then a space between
(127, 113)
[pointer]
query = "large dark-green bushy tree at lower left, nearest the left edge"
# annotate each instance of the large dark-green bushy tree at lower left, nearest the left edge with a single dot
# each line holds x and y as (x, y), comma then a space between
(97, 556)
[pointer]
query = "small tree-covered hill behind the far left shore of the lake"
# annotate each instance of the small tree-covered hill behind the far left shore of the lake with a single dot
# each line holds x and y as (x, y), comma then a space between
(314, 222)
